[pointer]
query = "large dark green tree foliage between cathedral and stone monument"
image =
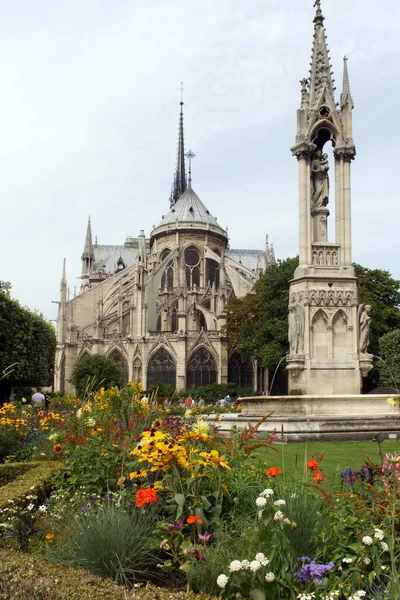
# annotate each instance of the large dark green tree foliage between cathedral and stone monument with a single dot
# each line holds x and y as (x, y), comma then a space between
(257, 325)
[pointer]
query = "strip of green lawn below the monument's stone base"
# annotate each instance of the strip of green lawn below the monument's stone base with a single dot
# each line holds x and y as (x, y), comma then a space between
(336, 456)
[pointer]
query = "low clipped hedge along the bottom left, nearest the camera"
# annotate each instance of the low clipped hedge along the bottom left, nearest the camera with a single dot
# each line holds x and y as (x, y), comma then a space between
(23, 576)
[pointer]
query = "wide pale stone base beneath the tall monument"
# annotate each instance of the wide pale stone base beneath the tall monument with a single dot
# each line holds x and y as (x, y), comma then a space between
(319, 418)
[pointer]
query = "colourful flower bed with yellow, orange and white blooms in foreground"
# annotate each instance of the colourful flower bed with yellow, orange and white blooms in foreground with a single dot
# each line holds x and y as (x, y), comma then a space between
(144, 494)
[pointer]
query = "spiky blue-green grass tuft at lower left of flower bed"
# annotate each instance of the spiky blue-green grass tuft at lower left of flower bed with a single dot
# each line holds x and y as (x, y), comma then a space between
(112, 543)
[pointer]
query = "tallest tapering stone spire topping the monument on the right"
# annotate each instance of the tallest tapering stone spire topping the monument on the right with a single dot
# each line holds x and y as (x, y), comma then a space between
(320, 72)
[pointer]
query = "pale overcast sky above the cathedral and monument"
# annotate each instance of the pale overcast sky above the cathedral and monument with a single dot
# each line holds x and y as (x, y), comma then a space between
(89, 113)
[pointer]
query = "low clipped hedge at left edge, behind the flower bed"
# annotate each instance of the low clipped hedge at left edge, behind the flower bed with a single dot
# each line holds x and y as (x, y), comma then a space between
(38, 475)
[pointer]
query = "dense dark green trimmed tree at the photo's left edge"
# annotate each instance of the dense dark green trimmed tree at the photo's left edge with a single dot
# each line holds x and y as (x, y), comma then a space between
(27, 342)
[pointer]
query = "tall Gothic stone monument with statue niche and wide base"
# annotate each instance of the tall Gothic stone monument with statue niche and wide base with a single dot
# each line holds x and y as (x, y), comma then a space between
(328, 328)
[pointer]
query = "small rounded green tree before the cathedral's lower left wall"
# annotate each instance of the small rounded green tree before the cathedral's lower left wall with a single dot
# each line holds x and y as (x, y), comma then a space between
(97, 371)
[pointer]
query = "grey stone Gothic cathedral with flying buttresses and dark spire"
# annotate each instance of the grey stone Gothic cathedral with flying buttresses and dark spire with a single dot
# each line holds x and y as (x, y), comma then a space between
(157, 306)
